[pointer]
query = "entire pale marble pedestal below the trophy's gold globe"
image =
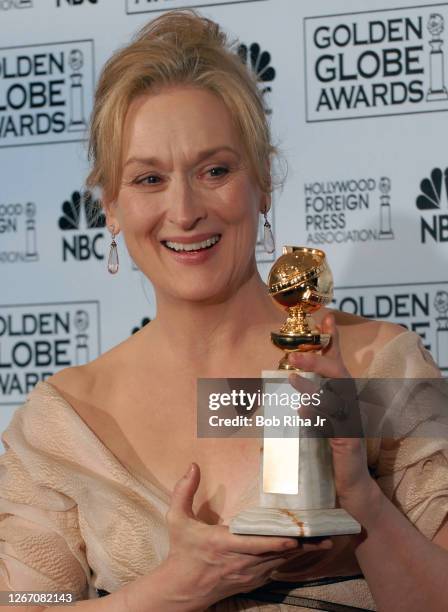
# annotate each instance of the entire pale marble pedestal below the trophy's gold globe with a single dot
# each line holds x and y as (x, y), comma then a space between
(297, 492)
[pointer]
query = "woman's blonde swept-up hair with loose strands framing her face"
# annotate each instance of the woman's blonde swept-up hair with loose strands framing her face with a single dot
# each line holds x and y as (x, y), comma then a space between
(177, 48)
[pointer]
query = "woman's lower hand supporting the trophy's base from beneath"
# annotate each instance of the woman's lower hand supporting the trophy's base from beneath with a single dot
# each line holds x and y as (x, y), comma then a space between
(207, 563)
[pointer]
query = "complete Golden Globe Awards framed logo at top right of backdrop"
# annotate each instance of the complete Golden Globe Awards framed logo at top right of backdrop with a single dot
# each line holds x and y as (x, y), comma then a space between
(376, 63)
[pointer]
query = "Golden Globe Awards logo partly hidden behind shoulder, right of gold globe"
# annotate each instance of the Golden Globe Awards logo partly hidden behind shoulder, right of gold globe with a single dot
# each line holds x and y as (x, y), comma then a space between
(420, 307)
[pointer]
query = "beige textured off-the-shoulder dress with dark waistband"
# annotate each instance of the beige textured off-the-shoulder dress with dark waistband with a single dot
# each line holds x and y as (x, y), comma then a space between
(72, 517)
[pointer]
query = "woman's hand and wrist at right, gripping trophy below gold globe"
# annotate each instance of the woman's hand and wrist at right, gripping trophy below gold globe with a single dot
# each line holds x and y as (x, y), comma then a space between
(357, 491)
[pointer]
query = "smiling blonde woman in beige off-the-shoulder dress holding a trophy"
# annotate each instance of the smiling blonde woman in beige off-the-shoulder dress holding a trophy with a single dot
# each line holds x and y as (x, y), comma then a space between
(91, 494)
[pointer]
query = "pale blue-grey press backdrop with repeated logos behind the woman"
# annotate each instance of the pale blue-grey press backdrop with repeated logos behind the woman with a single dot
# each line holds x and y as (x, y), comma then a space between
(356, 93)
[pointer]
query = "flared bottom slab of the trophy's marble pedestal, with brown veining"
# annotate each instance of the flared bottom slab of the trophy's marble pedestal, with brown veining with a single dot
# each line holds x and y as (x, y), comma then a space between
(294, 523)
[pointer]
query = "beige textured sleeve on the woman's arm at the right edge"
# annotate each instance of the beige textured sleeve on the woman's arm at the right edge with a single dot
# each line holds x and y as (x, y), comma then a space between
(412, 470)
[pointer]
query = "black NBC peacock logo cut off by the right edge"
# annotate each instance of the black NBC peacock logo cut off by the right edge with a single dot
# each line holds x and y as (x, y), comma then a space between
(432, 201)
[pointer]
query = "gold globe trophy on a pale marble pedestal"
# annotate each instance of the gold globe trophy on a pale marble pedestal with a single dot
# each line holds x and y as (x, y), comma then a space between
(297, 492)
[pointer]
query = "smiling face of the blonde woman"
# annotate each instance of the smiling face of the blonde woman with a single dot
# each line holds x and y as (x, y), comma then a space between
(188, 204)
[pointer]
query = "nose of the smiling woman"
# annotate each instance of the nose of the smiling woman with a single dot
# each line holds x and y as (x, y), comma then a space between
(185, 206)
